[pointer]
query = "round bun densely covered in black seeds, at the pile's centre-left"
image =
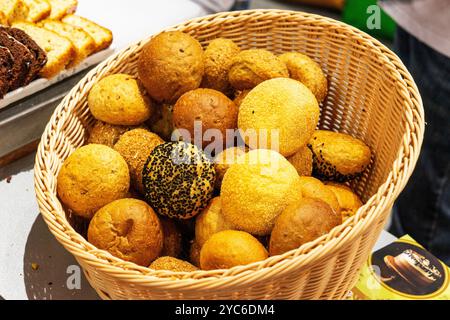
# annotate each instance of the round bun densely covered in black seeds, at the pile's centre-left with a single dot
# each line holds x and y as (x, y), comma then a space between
(178, 180)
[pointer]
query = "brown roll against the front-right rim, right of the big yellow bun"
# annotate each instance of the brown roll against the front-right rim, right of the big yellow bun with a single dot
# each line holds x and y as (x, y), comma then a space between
(300, 223)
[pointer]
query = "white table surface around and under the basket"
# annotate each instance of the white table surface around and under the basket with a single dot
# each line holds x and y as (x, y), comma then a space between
(24, 237)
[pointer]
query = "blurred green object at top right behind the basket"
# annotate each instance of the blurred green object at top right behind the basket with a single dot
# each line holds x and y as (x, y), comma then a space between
(367, 16)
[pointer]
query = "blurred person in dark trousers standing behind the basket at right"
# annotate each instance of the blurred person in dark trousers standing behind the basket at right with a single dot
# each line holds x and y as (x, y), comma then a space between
(423, 43)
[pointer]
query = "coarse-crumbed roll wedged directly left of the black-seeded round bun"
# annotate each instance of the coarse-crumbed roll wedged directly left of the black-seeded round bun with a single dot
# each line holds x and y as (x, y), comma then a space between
(135, 146)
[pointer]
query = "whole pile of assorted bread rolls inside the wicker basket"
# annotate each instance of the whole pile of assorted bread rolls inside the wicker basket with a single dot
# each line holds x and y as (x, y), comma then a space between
(167, 203)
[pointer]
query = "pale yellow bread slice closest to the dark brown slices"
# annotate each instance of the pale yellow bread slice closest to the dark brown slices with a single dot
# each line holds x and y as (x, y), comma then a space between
(60, 50)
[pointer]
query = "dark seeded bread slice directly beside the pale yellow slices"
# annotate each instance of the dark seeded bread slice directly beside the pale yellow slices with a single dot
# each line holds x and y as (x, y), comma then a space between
(40, 57)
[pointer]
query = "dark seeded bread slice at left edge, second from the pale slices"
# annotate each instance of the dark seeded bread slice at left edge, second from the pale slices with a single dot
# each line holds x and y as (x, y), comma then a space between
(23, 59)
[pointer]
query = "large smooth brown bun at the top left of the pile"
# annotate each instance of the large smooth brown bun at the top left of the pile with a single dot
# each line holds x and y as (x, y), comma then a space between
(170, 65)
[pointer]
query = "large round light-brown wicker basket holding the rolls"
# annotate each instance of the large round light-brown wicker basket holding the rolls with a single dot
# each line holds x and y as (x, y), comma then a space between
(371, 96)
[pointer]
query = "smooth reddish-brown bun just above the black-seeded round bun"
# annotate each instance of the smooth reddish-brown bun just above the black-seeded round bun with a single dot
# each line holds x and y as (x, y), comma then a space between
(211, 108)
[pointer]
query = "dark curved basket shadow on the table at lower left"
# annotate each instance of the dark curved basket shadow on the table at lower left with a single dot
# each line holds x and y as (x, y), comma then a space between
(46, 265)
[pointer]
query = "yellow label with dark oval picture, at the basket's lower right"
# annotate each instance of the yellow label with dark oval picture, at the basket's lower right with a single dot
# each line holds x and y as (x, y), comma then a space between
(403, 270)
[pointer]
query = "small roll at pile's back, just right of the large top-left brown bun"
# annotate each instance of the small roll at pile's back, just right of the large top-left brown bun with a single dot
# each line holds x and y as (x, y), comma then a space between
(218, 59)
